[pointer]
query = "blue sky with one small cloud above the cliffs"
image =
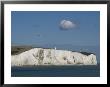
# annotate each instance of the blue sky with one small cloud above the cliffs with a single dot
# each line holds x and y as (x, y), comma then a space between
(55, 27)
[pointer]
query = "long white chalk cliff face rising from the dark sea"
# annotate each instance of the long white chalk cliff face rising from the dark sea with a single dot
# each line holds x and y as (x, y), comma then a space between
(40, 56)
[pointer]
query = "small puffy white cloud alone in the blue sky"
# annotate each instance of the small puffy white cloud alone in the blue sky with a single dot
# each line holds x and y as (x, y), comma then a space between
(67, 24)
